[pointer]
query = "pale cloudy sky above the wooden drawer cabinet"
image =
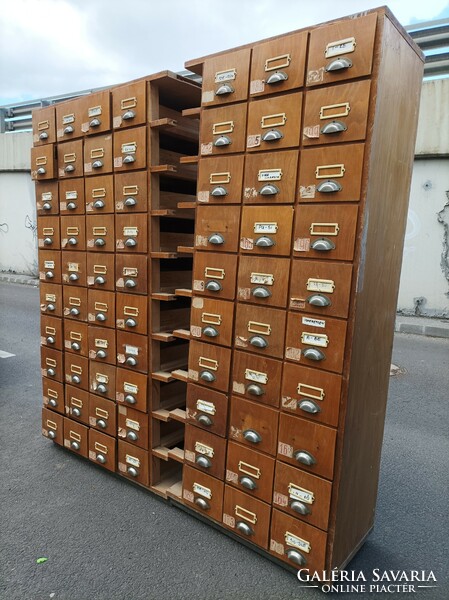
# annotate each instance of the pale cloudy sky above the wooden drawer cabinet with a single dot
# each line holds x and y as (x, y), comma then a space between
(51, 47)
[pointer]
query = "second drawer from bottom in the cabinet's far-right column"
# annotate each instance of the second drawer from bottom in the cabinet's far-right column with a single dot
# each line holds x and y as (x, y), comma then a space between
(302, 495)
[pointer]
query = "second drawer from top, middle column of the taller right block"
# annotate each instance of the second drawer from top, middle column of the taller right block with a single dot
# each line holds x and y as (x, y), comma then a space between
(274, 123)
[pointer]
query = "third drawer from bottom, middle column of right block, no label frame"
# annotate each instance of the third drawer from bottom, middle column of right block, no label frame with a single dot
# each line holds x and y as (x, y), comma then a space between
(253, 425)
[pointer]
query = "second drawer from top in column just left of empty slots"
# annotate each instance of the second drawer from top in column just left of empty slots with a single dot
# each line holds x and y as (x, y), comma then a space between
(130, 149)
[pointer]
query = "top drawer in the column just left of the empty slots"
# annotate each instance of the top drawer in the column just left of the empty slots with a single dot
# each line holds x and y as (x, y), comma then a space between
(129, 104)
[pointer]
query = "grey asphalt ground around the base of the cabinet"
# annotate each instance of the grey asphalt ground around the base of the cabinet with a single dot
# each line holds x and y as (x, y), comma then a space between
(107, 540)
